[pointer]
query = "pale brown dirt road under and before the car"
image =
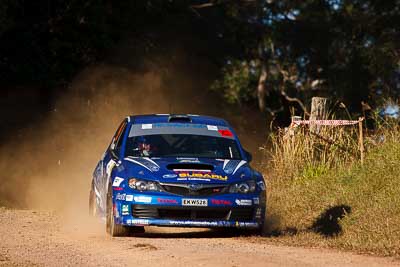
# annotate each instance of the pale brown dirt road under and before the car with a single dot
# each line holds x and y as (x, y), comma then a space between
(37, 238)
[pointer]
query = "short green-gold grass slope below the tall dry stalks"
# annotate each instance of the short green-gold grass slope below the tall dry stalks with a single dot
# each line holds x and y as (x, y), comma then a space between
(345, 205)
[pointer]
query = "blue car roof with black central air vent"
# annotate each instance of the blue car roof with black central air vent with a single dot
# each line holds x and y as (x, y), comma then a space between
(165, 118)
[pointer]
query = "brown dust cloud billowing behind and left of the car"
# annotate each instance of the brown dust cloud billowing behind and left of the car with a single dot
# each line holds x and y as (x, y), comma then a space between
(51, 168)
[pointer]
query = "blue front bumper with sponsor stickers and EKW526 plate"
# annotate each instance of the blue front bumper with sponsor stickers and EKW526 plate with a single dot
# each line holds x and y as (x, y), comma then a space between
(240, 211)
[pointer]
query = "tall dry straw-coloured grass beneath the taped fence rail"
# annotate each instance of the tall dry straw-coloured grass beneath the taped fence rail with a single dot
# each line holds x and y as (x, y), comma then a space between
(297, 150)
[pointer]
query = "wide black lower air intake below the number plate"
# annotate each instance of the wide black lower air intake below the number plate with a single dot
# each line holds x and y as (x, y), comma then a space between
(193, 213)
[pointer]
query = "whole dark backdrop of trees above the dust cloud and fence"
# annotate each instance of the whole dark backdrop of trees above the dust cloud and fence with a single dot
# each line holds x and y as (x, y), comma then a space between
(270, 53)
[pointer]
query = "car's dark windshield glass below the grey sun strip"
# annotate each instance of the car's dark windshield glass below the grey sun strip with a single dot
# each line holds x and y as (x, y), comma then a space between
(182, 145)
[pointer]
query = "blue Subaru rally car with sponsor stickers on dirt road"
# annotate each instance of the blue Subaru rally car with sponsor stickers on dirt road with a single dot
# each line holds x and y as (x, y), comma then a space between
(176, 170)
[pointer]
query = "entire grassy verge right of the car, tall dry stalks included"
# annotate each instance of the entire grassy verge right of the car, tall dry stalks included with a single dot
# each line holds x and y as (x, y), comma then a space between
(323, 196)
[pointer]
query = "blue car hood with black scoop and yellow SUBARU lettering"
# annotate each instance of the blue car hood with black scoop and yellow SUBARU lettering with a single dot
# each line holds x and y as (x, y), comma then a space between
(186, 170)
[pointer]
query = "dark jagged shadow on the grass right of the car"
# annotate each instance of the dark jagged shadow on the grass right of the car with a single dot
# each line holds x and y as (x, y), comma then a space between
(327, 224)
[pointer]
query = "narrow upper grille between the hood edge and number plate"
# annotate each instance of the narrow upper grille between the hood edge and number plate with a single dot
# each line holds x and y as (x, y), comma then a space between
(185, 190)
